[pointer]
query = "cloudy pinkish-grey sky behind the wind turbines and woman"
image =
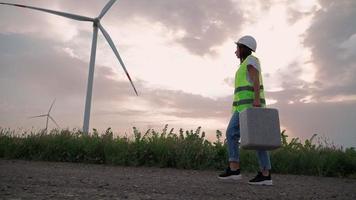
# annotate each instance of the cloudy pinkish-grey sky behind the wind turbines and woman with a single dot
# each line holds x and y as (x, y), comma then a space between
(180, 55)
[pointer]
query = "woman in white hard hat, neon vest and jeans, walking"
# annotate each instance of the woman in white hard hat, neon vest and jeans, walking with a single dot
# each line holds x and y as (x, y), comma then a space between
(248, 93)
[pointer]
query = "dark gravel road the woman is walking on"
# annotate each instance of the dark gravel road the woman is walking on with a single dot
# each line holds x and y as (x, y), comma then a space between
(52, 180)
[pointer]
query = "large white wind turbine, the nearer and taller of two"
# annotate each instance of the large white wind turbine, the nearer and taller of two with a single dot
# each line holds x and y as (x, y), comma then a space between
(96, 26)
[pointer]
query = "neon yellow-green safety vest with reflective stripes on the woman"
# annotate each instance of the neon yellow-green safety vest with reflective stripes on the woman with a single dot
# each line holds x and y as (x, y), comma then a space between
(244, 91)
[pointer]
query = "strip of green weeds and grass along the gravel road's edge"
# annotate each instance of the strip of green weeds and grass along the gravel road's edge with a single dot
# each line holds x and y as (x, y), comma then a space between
(185, 149)
